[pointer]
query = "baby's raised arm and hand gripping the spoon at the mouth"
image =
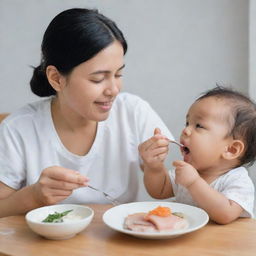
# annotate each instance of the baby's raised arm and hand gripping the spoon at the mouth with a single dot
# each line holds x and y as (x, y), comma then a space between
(156, 178)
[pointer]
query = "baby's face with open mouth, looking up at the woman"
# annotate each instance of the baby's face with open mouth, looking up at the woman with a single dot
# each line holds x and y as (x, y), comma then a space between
(205, 135)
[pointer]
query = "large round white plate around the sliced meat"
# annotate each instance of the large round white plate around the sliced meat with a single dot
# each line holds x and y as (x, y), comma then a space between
(114, 218)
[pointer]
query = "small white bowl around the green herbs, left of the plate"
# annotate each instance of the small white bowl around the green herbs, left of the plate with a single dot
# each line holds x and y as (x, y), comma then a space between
(58, 231)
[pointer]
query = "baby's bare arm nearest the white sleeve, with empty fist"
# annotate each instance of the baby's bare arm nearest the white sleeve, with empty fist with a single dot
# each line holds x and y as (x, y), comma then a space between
(220, 209)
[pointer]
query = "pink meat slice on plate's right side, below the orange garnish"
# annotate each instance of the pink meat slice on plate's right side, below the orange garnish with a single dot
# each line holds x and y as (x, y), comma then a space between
(167, 223)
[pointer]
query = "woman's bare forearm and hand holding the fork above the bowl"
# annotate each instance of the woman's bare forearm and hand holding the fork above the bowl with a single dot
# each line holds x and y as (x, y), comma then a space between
(54, 185)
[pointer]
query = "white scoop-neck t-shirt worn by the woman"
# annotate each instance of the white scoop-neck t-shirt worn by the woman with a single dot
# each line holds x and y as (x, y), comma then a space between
(30, 143)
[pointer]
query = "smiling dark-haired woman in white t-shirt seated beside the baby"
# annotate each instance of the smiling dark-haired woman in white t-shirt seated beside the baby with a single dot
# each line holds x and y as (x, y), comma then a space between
(84, 132)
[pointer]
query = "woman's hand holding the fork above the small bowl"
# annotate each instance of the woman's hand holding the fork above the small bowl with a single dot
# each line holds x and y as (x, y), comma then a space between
(56, 184)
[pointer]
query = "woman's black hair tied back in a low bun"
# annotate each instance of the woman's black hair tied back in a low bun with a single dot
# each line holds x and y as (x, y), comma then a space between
(73, 36)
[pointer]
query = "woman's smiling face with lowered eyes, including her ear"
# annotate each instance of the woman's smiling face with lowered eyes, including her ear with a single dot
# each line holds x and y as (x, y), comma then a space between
(89, 91)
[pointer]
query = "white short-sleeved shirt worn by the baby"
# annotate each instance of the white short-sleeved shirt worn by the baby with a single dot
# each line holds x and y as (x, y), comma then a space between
(236, 185)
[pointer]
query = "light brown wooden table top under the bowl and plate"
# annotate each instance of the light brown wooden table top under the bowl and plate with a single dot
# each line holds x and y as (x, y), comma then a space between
(237, 238)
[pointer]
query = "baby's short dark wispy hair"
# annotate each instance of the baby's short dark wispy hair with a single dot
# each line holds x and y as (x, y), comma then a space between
(242, 119)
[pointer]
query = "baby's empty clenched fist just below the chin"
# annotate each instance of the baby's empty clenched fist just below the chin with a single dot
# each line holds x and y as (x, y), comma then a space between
(185, 174)
